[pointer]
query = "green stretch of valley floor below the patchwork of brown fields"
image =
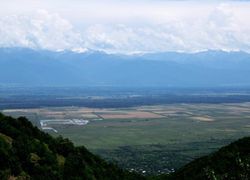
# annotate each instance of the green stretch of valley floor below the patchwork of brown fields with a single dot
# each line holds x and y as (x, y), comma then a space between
(157, 145)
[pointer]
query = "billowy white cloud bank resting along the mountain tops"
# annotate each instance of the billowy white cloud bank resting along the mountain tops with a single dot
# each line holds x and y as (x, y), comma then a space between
(222, 28)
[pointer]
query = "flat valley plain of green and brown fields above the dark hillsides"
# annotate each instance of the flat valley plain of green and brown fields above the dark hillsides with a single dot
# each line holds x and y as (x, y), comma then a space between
(149, 139)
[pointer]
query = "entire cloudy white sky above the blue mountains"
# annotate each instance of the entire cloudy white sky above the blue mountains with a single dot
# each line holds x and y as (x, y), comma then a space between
(128, 27)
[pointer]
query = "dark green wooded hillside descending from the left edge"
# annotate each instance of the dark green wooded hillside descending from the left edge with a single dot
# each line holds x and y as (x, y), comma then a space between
(28, 153)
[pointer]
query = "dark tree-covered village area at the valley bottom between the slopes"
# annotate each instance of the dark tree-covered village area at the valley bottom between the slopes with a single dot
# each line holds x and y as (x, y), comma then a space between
(158, 159)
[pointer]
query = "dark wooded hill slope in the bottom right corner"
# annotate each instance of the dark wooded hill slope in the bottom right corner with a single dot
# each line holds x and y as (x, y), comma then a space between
(229, 162)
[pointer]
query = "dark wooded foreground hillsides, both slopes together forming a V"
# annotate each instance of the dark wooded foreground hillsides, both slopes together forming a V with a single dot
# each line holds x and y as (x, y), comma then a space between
(28, 153)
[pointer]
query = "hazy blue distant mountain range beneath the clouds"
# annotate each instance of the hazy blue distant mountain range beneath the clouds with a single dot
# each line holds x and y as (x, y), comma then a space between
(41, 67)
